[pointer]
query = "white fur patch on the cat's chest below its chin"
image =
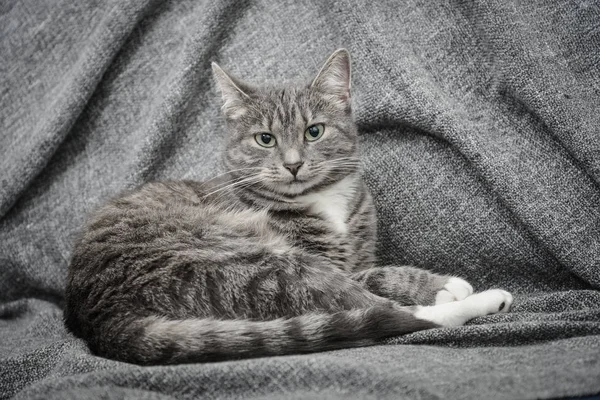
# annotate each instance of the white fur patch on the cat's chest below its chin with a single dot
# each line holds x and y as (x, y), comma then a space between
(333, 202)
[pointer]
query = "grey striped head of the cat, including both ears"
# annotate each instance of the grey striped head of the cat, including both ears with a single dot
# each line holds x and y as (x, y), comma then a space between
(290, 139)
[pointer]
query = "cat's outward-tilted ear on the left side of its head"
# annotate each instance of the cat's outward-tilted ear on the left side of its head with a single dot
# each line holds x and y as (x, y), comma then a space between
(234, 92)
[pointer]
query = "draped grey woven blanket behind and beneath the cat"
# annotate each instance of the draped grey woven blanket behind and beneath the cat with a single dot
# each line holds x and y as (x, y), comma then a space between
(481, 134)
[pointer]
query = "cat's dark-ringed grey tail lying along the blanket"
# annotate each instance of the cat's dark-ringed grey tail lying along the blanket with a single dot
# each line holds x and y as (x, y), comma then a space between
(160, 341)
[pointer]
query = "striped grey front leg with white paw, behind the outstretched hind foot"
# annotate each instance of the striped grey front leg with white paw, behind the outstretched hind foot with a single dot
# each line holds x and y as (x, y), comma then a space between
(411, 286)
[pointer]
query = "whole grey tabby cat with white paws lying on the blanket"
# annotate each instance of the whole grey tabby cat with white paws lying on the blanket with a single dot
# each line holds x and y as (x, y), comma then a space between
(274, 257)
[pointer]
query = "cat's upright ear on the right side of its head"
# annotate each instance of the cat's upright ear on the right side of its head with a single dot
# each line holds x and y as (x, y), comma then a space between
(335, 76)
